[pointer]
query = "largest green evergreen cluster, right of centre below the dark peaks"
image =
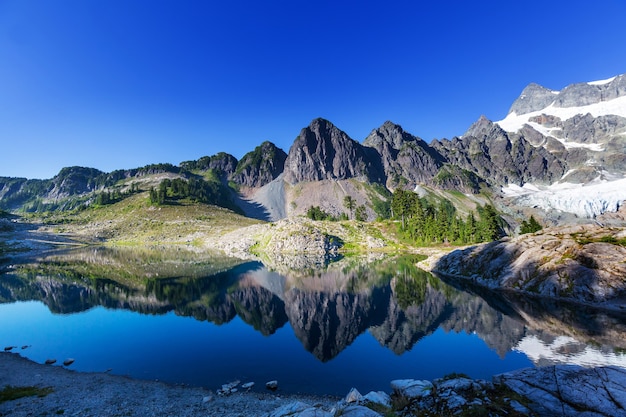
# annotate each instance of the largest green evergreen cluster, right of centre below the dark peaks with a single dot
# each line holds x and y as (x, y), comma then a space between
(426, 222)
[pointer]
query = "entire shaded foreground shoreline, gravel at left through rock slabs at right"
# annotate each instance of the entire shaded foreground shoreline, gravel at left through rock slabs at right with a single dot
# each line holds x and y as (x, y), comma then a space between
(548, 391)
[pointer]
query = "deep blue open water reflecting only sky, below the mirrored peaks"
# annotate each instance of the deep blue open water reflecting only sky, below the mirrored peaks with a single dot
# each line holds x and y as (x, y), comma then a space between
(182, 350)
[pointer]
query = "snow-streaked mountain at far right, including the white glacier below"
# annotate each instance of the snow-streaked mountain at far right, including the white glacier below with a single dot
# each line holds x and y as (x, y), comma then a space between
(584, 126)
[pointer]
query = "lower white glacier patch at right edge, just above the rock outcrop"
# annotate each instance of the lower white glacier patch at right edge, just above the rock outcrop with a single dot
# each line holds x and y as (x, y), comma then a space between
(588, 200)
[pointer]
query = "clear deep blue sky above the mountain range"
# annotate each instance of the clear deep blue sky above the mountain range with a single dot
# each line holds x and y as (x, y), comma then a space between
(116, 84)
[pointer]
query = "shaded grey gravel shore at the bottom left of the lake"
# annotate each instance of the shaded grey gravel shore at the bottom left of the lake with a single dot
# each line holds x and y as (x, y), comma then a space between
(101, 394)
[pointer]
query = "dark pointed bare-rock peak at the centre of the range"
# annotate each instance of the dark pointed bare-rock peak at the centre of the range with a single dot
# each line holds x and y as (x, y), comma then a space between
(322, 152)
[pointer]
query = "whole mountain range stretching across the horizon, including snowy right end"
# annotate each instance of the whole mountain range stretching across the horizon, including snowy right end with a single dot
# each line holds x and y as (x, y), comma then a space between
(559, 154)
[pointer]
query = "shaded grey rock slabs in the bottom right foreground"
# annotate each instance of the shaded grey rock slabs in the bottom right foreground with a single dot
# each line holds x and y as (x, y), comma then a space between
(560, 391)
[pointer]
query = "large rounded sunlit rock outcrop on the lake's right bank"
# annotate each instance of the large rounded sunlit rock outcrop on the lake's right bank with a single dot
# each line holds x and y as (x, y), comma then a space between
(579, 263)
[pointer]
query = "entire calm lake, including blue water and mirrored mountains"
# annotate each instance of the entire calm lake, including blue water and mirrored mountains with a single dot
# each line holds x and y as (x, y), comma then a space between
(315, 327)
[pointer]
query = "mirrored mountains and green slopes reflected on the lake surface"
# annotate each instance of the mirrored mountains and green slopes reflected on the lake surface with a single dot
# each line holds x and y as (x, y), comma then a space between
(328, 306)
